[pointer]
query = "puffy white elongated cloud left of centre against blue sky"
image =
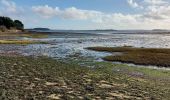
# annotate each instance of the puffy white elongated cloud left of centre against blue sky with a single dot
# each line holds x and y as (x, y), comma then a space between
(68, 13)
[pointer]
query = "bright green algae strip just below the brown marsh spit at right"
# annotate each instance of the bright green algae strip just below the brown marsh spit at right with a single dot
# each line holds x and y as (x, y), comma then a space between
(125, 69)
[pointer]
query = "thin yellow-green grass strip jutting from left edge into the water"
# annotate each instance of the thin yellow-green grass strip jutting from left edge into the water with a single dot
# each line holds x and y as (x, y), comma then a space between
(20, 42)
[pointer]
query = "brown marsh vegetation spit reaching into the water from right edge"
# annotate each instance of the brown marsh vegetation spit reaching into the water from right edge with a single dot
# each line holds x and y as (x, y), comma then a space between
(141, 56)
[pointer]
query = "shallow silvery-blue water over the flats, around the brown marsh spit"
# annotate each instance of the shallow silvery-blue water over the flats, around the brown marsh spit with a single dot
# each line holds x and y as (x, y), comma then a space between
(72, 45)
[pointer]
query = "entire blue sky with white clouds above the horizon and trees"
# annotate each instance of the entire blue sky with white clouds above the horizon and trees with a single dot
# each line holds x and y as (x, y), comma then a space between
(89, 14)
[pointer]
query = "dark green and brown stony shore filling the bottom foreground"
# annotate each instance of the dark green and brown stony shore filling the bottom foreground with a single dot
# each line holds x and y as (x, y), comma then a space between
(45, 78)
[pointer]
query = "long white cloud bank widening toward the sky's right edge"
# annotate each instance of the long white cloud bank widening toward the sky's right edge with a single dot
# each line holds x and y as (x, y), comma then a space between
(153, 16)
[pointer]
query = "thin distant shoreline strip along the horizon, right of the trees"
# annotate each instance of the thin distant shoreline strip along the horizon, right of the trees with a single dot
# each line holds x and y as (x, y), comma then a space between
(100, 31)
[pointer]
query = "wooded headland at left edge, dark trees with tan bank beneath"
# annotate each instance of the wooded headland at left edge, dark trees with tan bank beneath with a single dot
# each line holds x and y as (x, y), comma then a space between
(9, 25)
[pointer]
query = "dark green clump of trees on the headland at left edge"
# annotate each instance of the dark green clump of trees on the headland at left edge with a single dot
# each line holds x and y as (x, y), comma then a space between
(8, 23)
